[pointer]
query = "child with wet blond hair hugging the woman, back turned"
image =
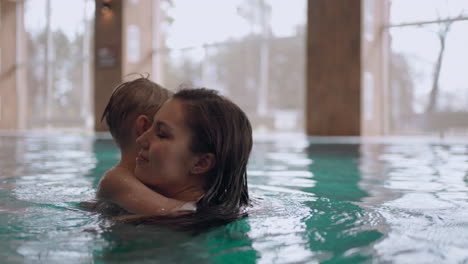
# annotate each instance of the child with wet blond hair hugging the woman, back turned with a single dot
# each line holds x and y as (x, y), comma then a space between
(128, 114)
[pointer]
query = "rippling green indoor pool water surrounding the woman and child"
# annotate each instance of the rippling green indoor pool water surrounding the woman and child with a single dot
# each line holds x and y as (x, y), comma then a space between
(315, 201)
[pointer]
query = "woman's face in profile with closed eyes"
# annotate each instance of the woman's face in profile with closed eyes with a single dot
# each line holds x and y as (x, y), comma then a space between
(165, 160)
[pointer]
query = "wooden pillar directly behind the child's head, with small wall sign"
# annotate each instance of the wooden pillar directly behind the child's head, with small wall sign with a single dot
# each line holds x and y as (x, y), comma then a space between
(122, 46)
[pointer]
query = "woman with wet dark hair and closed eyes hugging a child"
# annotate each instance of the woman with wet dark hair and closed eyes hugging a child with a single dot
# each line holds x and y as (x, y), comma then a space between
(197, 151)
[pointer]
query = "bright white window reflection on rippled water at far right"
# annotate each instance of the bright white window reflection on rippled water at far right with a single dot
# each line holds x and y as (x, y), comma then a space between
(428, 218)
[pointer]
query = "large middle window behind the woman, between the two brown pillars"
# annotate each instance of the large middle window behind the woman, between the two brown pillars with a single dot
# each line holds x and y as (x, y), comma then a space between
(252, 51)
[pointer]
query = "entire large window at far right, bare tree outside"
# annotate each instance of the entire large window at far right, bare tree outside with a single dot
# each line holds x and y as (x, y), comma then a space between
(428, 62)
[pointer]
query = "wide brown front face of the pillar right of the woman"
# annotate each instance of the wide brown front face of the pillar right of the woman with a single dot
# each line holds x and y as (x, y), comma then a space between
(333, 69)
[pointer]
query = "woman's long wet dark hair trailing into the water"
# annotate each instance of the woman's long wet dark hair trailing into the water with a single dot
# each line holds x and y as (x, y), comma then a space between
(220, 127)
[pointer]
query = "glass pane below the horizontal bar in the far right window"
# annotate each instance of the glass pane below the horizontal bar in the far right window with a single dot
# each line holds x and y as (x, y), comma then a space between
(426, 97)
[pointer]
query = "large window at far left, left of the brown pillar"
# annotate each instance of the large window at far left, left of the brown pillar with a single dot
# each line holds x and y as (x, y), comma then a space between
(58, 37)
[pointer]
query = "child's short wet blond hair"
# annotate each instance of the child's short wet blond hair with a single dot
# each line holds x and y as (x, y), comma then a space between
(128, 101)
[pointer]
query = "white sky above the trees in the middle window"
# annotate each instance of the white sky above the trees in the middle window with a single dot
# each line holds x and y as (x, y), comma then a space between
(209, 21)
